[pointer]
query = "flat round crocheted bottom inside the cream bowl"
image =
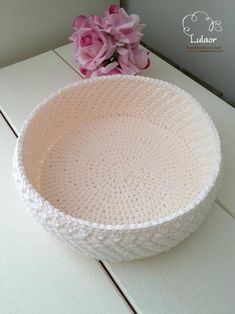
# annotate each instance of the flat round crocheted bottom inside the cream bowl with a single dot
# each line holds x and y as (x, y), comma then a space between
(118, 170)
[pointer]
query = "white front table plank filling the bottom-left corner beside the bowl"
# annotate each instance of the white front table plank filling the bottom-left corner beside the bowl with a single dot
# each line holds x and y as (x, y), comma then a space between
(38, 274)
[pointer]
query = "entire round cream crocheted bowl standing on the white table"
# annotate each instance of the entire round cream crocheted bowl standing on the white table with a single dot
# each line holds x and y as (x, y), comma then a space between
(119, 167)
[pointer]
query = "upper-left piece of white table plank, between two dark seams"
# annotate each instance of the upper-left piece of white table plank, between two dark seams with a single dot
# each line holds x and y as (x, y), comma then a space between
(25, 84)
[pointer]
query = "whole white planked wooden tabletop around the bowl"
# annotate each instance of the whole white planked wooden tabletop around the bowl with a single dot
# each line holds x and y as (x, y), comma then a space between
(38, 275)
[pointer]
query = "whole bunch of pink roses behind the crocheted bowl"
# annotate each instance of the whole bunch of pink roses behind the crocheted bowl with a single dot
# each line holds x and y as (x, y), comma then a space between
(109, 44)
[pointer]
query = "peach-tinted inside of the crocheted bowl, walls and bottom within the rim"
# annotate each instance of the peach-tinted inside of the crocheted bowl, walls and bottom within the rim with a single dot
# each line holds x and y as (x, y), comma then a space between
(119, 151)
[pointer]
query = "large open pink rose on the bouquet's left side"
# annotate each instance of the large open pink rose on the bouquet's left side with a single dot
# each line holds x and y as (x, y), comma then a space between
(92, 46)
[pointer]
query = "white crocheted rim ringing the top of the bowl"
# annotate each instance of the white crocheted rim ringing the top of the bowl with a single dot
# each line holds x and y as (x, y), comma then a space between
(22, 179)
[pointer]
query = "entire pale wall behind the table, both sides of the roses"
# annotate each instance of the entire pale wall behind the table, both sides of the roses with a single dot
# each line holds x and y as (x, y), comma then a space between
(30, 27)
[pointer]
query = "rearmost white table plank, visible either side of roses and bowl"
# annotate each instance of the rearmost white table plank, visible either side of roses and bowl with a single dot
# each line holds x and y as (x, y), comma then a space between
(222, 114)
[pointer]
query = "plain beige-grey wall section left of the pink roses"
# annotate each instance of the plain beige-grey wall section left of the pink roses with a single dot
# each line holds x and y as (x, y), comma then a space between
(30, 27)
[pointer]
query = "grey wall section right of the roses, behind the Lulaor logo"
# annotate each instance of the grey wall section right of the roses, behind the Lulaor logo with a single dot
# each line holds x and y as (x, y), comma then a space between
(164, 33)
